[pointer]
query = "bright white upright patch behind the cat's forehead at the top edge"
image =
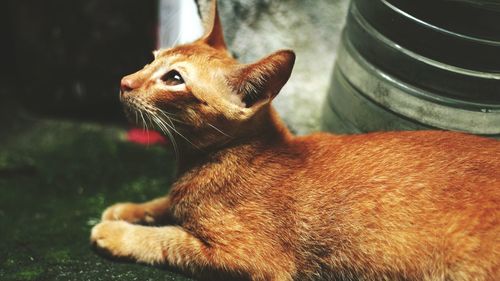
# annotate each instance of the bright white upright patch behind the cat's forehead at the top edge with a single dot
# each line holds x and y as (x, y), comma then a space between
(179, 23)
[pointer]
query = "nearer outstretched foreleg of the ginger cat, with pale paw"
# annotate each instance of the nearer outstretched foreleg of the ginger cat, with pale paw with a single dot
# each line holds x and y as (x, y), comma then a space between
(176, 247)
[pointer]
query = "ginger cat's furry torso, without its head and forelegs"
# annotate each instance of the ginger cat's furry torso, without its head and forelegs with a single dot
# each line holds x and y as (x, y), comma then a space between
(352, 206)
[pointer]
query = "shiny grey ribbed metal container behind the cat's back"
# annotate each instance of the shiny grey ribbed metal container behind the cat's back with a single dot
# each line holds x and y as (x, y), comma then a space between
(398, 70)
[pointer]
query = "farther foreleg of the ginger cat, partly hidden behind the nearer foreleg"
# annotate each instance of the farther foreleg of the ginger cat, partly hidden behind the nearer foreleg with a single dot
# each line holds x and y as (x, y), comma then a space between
(149, 212)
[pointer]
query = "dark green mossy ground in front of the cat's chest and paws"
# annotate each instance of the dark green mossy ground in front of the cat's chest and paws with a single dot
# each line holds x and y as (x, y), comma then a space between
(56, 177)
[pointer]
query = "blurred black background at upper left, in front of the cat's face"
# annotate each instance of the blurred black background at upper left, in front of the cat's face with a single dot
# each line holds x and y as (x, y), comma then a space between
(65, 58)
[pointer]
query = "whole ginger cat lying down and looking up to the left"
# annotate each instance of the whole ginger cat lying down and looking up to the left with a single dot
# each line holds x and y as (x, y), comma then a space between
(254, 202)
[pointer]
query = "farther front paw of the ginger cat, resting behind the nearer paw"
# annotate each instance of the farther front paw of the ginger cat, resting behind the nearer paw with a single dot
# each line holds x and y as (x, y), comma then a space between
(130, 212)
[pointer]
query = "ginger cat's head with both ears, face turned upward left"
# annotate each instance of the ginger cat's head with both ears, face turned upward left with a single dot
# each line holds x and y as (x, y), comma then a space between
(199, 93)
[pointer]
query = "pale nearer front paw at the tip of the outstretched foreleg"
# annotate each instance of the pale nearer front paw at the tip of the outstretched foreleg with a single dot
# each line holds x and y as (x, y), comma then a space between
(110, 237)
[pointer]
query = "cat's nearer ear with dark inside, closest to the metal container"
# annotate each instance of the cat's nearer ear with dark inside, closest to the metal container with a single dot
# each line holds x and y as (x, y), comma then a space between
(258, 83)
